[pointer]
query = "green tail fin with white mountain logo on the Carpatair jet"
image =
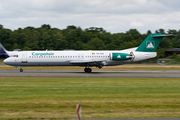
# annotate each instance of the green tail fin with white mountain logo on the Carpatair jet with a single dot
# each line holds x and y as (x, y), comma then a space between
(151, 43)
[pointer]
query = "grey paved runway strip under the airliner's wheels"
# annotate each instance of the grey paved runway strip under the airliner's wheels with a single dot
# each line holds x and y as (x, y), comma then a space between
(58, 73)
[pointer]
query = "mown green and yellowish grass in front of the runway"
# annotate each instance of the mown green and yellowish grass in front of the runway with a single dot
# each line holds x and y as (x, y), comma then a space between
(56, 98)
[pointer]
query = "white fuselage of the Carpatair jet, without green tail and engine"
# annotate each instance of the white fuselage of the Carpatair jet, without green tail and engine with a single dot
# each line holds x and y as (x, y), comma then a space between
(72, 58)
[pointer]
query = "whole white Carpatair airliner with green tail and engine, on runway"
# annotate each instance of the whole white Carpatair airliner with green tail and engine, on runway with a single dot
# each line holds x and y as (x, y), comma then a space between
(91, 58)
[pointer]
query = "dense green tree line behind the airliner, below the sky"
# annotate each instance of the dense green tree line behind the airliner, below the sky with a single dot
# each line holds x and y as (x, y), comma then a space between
(73, 37)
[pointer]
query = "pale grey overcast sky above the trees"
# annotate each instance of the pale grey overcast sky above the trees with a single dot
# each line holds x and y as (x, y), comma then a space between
(112, 15)
